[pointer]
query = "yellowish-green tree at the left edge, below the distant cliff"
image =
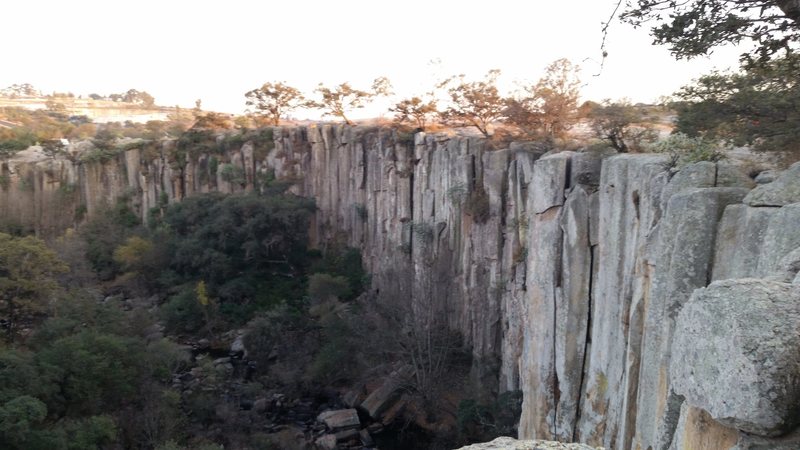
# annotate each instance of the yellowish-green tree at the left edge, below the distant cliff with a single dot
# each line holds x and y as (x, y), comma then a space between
(27, 283)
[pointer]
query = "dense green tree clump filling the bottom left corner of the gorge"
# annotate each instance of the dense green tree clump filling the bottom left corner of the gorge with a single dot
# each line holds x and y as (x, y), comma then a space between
(82, 365)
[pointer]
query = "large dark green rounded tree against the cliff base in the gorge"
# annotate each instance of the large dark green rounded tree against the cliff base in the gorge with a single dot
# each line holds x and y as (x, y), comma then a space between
(248, 249)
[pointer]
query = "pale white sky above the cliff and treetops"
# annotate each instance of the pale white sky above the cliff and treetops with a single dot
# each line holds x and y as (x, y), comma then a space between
(180, 50)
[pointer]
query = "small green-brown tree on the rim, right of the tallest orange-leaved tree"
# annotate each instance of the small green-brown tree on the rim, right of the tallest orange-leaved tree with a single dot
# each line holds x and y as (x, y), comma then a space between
(621, 124)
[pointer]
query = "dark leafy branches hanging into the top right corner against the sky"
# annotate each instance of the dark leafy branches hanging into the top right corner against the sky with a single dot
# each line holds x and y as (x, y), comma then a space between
(694, 27)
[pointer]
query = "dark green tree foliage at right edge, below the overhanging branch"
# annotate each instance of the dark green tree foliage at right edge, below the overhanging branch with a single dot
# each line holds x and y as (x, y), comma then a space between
(757, 106)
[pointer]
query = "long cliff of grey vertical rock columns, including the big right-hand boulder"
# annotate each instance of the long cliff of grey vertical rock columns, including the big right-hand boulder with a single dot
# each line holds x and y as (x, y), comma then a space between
(600, 287)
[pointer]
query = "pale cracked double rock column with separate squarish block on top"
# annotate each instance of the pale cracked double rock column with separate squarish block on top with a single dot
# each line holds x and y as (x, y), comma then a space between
(559, 276)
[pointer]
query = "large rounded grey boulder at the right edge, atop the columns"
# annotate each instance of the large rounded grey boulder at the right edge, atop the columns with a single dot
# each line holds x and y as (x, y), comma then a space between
(737, 354)
